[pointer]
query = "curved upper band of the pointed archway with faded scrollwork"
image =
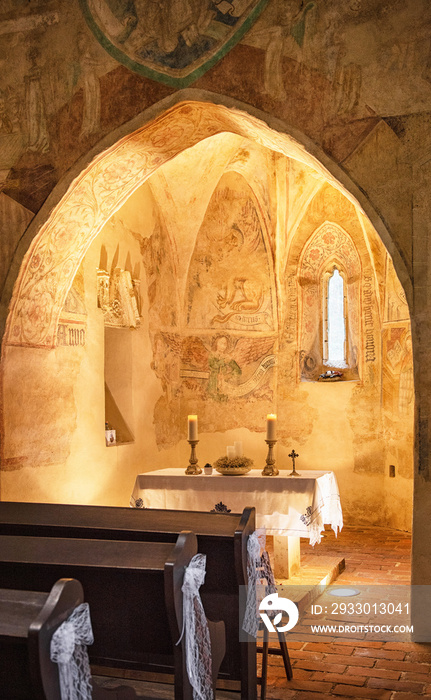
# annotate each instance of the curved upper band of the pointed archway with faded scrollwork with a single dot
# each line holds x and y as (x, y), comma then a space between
(59, 243)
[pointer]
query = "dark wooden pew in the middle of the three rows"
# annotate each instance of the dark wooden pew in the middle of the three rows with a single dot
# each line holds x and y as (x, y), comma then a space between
(129, 594)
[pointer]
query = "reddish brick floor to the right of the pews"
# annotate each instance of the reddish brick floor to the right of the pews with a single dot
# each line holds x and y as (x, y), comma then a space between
(357, 668)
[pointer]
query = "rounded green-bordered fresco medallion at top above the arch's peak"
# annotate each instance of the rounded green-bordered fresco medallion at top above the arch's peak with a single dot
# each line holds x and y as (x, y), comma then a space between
(171, 41)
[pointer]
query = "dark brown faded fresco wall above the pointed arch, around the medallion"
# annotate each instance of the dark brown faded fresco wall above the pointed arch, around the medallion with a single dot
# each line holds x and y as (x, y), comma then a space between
(323, 67)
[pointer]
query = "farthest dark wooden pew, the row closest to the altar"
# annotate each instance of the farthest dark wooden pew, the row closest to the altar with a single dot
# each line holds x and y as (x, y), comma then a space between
(221, 536)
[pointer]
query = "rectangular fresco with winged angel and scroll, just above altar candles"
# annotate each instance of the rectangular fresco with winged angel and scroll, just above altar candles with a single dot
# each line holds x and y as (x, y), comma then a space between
(206, 373)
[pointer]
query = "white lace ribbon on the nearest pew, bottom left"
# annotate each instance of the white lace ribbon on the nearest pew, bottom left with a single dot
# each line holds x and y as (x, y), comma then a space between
(69, 651)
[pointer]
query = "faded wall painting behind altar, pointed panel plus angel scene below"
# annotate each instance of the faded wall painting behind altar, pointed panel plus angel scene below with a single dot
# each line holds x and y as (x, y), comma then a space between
(225, 354)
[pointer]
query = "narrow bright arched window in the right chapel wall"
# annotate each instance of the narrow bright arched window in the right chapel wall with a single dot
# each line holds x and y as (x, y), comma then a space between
(335, 321)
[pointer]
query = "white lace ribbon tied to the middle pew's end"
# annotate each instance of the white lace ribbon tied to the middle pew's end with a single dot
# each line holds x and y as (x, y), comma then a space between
(195, 630)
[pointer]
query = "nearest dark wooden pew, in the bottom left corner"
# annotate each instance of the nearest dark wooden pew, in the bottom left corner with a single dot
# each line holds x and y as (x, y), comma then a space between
(27, 622)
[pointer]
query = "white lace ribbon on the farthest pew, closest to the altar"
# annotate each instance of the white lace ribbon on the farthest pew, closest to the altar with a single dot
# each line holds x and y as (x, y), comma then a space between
(258, 569)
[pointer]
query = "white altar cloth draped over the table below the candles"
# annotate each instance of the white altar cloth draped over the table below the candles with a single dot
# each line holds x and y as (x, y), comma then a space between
(297, 506)
